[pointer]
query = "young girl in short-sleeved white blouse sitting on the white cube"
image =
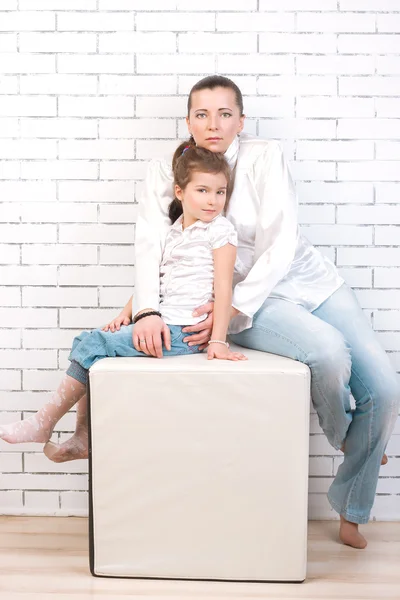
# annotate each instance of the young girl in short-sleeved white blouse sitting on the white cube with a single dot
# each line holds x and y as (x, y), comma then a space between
(197, 262)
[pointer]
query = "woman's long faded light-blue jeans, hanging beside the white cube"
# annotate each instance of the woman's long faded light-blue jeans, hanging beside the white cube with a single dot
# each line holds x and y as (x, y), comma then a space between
(338, 344)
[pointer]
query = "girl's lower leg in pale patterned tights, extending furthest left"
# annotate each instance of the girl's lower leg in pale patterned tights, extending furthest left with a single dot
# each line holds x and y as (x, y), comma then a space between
(39, 427)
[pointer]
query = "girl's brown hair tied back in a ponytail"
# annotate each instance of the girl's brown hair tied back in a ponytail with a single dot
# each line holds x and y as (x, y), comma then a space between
(189, 159)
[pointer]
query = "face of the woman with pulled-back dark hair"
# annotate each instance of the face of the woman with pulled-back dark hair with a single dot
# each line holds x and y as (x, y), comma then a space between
(214, 118)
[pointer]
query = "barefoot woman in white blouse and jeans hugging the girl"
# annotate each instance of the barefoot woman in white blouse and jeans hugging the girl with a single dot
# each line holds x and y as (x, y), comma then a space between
(288, 299)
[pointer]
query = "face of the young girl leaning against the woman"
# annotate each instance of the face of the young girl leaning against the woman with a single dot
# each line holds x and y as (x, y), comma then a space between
(203, 198)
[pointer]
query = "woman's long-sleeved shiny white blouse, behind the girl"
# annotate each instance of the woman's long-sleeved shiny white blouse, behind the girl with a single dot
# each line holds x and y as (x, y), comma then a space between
(273, 258)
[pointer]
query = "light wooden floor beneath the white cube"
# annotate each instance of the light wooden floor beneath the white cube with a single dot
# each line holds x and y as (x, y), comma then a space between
(46, 558)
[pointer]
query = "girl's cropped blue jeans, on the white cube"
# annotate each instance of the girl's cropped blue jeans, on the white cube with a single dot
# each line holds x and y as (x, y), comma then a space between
(90, 346)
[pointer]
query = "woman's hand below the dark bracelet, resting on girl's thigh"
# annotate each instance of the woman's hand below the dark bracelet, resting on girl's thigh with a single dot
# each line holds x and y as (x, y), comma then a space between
(148, 335)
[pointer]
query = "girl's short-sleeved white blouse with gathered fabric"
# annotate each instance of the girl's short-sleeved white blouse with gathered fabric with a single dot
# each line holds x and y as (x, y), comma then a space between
(187, 267)
